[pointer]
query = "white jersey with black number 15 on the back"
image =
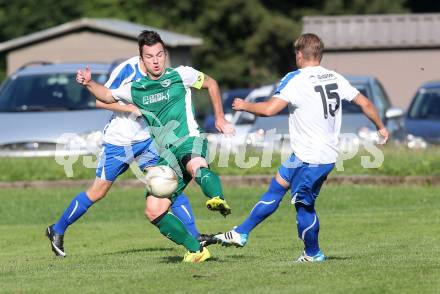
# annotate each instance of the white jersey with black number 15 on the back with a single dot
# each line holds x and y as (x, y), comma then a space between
(314, 95)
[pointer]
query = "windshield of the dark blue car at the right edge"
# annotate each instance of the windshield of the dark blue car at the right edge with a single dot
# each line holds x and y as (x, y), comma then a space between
(426, 105)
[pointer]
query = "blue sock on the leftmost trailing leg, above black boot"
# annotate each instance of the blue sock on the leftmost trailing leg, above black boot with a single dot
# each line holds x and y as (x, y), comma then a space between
(76, 209)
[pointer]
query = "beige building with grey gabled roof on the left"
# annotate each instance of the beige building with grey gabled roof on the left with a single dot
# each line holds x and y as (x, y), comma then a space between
(91, 40)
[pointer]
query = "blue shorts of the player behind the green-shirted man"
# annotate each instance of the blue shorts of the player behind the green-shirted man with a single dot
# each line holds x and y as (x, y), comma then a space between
(115, 160)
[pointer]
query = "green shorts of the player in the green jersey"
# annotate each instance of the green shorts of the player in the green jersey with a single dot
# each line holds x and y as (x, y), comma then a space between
(176, 156)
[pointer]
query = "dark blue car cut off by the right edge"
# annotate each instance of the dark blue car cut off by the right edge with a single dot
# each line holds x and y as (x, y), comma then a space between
(423, 117)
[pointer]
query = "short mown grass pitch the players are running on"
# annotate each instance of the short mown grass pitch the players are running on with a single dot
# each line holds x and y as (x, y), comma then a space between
(379, 240)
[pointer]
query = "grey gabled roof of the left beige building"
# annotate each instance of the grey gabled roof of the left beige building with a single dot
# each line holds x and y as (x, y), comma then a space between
(111, 26)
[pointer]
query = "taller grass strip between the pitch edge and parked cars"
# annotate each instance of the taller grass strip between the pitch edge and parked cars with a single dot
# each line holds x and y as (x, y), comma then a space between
(398, 161)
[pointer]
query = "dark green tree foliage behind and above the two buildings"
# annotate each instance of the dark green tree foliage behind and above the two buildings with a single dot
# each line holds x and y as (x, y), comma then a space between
(246, 42)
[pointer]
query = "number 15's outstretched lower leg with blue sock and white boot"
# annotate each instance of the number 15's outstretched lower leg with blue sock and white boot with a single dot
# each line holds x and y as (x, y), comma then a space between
(267, 205)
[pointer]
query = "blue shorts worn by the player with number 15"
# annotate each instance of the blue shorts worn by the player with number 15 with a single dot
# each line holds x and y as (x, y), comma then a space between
(305, 179)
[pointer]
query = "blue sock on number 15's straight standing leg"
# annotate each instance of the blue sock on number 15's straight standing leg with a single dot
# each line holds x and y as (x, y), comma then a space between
(308, 228)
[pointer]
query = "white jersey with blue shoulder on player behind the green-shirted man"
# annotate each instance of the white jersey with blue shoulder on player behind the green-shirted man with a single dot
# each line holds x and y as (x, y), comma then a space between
(123, 130)
